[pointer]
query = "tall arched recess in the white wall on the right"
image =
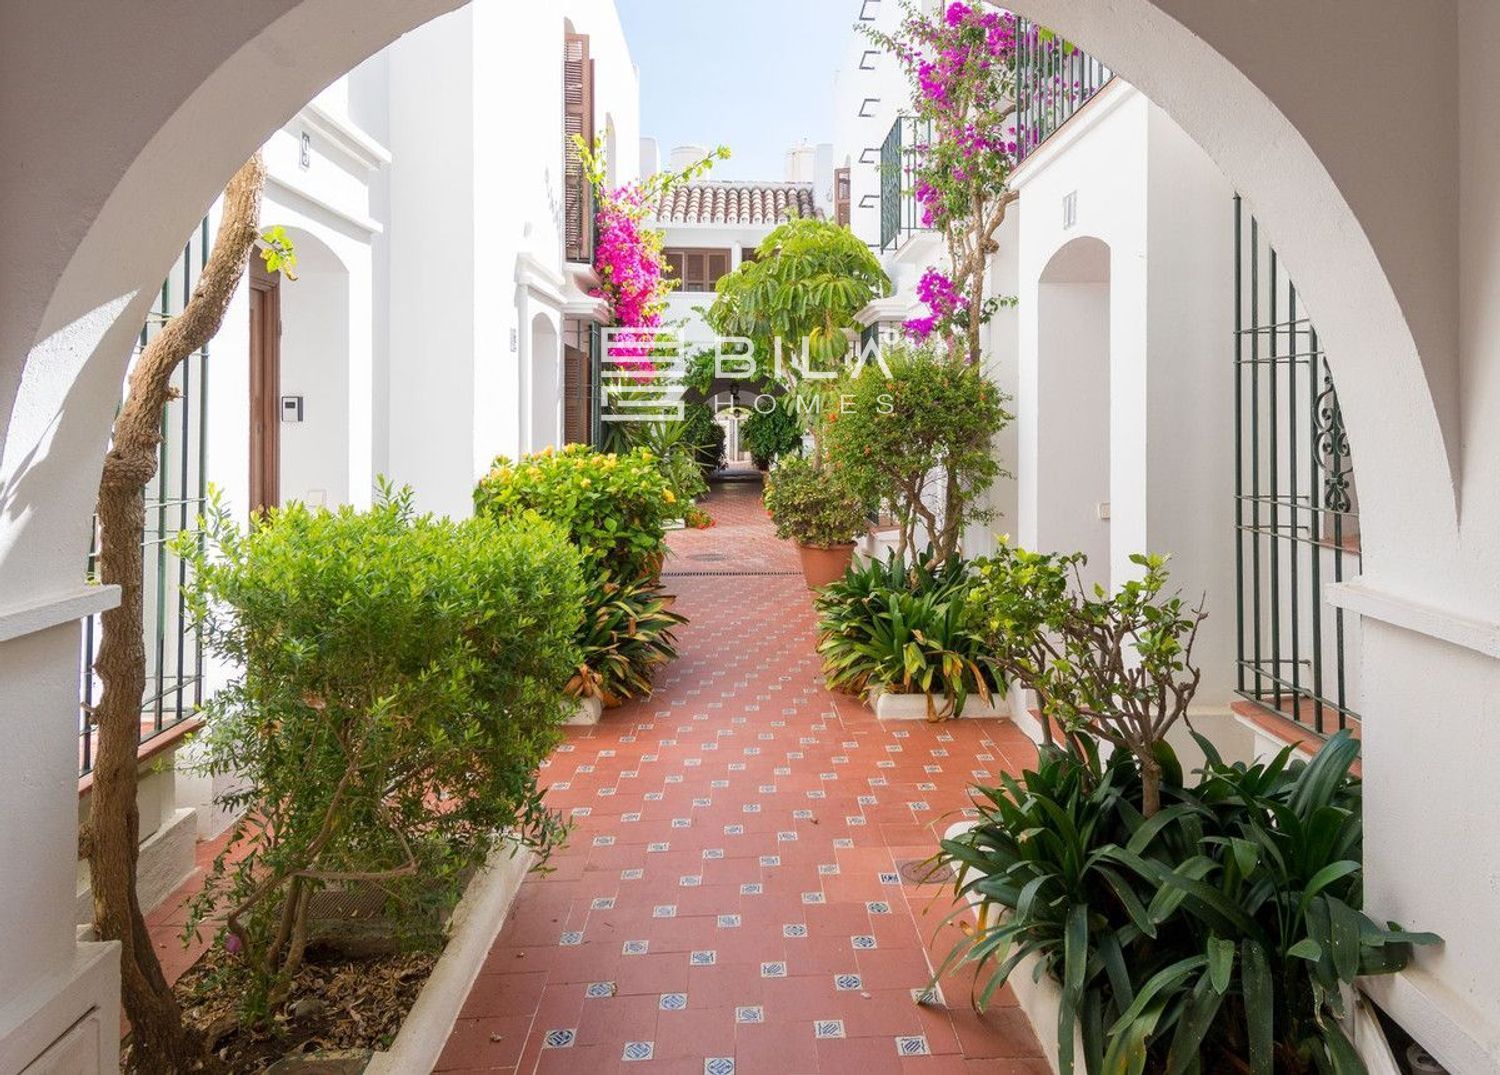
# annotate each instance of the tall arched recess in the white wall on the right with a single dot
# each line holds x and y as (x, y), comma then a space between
(1073, 406)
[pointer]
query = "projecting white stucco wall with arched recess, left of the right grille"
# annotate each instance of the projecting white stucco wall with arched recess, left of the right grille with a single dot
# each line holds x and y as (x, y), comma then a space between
(1165, 212)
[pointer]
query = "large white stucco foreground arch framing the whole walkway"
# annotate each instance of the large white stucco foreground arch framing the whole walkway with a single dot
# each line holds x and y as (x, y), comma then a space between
(122, 122)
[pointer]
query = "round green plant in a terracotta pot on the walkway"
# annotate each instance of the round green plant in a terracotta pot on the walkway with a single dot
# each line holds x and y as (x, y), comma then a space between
(820, 512)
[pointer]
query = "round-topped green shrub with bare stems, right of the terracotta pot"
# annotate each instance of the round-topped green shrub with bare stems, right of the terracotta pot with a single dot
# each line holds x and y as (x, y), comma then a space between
(922, 436)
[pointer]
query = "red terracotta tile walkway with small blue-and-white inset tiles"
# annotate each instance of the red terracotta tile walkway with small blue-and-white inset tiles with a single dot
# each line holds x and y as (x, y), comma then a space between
(733, 897)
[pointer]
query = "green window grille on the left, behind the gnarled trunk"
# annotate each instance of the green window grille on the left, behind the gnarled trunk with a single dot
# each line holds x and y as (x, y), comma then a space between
(173, 503)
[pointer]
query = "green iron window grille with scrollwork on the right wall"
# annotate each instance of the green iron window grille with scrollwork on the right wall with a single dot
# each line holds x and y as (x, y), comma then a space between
(1295, 500)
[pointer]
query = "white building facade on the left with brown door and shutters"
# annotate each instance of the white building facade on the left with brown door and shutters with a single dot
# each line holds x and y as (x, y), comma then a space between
(439, 317)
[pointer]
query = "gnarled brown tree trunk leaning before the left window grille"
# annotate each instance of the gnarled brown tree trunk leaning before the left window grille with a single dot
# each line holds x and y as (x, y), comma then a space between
(161, 1043)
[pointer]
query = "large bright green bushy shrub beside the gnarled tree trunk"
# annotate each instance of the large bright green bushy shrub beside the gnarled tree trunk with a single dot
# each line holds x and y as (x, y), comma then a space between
(400, 683)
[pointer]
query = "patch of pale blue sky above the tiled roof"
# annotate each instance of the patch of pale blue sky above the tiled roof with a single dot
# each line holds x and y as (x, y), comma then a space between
(755, 76)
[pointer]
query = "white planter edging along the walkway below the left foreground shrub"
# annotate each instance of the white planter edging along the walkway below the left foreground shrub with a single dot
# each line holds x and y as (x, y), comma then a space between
(472, 933)
